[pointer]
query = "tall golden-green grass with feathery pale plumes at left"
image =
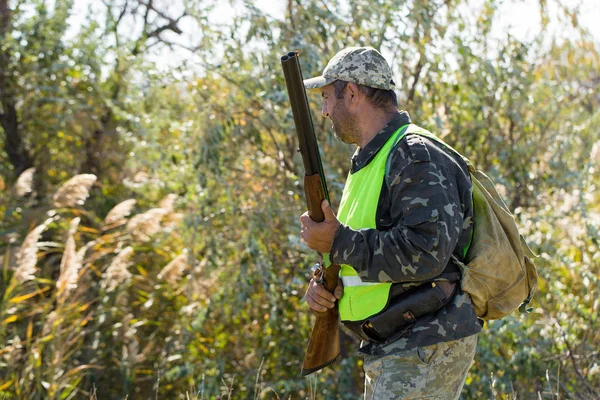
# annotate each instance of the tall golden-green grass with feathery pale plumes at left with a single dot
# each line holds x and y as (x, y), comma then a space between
(74, 291)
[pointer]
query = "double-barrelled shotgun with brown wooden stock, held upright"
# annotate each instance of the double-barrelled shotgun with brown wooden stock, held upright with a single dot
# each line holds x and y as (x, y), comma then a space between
(324, 345)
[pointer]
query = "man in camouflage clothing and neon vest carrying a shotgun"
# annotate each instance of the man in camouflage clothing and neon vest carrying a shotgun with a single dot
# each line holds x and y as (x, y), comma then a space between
(406, 211)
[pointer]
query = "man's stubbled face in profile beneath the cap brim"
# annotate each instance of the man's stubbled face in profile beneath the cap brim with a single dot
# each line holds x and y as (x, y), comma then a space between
(344, 122)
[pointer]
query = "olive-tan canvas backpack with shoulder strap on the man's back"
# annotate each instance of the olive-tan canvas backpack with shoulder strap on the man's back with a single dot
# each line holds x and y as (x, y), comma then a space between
(498, 272)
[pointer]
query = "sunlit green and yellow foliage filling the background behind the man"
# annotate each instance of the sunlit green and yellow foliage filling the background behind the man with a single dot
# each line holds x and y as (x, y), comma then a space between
(199, 293)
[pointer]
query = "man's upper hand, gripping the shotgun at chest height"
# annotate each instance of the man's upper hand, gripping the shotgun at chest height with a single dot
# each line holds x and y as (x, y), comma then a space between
(319, 235)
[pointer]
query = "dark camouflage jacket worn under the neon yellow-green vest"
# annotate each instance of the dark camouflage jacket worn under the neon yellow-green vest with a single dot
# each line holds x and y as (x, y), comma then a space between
(424, 215)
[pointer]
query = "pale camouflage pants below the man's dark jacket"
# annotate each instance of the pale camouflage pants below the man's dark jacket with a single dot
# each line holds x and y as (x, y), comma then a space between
(433, 372)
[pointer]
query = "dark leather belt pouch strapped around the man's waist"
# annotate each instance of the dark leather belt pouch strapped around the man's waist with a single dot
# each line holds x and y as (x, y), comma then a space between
(404, 310)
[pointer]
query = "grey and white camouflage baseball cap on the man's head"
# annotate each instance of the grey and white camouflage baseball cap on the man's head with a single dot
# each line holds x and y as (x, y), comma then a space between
(362, 65)
